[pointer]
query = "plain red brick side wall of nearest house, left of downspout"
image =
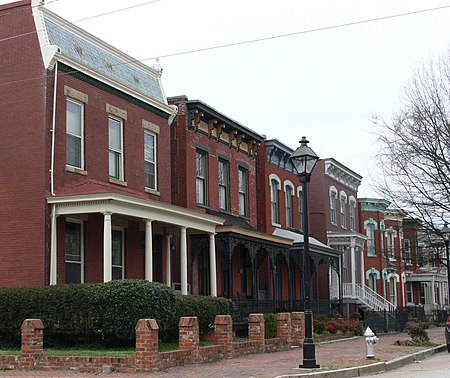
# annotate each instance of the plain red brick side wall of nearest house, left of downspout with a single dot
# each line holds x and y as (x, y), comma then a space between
(25, 135)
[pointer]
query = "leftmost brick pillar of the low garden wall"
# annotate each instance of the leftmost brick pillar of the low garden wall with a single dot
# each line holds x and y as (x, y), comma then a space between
(32, 350)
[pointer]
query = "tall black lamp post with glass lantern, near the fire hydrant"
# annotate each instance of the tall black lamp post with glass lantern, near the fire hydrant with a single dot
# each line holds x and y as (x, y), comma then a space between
(304, 159)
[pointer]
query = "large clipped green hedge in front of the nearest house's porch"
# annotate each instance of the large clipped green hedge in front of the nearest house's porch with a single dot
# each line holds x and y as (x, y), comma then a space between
(87, 314)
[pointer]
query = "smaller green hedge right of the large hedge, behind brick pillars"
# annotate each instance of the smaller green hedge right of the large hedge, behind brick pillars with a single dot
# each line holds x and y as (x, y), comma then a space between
(205, 308)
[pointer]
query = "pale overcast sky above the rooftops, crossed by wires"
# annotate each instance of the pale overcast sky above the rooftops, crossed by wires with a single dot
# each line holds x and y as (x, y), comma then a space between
(323, 84)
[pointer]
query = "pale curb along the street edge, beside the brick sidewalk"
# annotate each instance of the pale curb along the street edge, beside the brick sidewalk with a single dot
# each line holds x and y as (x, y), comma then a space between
(379, 367)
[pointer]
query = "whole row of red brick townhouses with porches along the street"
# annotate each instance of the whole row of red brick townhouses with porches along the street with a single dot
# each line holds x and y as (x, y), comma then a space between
(109, 179)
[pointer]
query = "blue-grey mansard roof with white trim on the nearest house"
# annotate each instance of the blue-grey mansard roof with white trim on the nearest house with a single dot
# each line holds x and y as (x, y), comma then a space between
(64, 42)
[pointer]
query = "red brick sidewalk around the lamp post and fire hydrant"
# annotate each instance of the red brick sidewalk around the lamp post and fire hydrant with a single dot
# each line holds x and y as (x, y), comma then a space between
(337, 355)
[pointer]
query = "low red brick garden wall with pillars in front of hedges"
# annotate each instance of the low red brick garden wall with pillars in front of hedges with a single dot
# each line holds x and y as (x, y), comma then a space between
(148, 358)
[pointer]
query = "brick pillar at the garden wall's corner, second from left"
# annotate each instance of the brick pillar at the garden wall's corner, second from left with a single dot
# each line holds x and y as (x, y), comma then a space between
(147, 335)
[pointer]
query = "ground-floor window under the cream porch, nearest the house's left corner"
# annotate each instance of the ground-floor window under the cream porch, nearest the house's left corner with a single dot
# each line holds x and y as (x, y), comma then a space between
(74, 253)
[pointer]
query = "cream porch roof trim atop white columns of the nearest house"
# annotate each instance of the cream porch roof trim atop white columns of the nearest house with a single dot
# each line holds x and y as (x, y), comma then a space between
(134, 207)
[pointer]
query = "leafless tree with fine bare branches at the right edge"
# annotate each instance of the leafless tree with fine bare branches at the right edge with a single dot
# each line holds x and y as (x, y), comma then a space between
(415, 147)
